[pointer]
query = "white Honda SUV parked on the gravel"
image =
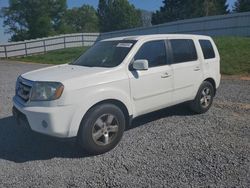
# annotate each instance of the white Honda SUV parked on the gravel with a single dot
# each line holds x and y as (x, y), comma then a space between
(116, 80)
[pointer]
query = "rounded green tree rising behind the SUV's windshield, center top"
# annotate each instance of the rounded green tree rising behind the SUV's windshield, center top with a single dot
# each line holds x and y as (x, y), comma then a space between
(117, 15)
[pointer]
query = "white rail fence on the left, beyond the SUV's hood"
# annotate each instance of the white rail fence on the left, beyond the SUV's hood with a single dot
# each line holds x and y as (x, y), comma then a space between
(43, 45)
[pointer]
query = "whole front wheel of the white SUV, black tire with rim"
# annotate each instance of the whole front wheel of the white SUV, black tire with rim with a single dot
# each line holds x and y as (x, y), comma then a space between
(101, 129)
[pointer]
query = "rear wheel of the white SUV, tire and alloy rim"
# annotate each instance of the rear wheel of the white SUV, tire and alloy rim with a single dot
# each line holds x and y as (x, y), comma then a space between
(203, 99)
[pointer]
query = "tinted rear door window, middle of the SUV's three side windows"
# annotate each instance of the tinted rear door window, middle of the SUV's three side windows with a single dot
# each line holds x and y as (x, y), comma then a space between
(183, 50)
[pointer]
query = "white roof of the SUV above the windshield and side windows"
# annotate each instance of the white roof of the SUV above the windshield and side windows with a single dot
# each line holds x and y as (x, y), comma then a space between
(156, 36)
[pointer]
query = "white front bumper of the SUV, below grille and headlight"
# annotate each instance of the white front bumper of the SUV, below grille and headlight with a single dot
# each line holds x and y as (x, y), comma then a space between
(52, 121)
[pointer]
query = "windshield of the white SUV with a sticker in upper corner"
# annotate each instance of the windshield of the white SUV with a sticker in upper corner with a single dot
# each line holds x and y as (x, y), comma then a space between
(105, 54)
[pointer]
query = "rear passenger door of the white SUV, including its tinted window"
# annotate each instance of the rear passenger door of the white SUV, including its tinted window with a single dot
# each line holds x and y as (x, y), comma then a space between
(186, 67)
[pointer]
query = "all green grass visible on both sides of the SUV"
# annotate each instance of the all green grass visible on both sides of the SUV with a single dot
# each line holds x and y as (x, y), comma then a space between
(234, 52)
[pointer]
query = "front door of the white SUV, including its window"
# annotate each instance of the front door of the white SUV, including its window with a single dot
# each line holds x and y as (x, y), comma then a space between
(152, 89)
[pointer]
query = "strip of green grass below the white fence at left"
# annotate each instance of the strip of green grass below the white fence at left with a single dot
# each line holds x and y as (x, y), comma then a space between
(55, 57)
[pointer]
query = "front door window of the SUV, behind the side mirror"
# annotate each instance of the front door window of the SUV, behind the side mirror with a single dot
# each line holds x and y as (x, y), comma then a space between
(154, 52)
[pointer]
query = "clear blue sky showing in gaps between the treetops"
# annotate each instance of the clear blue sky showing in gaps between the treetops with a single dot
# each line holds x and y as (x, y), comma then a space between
(150, 5)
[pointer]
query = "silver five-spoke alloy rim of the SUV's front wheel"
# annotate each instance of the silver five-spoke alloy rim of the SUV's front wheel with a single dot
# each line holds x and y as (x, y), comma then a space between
(105, 129)
